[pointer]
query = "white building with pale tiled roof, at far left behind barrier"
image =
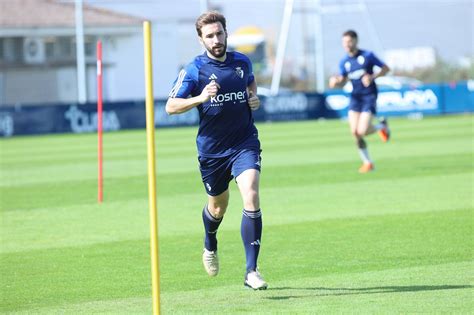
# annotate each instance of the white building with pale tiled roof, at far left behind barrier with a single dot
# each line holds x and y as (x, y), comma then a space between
(38, 54)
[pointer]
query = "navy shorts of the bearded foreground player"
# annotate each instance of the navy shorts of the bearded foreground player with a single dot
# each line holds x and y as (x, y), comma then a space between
(216, 173)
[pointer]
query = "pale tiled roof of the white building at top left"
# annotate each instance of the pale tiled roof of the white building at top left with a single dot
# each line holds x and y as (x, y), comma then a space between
(20, 14)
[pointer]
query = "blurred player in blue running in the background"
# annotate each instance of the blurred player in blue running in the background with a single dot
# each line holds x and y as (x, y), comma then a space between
(358, 67)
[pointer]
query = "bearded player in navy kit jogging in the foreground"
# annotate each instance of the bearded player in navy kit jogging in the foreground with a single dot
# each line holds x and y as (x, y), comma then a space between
(222, 86)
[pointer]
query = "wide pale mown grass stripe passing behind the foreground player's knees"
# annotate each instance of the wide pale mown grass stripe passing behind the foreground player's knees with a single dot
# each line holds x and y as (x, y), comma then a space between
(127, 219)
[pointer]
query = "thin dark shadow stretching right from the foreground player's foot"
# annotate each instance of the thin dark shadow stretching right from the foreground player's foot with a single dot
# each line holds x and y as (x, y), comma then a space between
(324, 291)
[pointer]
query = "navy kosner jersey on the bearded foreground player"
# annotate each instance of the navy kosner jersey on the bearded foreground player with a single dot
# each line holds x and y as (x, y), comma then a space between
(226, 122)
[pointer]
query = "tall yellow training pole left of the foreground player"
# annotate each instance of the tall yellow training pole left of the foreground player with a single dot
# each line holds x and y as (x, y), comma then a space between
(150, 131)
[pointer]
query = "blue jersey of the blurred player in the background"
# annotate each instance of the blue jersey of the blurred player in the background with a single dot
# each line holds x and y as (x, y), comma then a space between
(355, 67)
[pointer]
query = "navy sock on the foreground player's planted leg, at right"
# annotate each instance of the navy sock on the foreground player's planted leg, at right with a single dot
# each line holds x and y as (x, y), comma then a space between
(251, 232)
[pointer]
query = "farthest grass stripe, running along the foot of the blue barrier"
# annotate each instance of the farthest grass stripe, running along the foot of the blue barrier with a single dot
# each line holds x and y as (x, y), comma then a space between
(168, 140)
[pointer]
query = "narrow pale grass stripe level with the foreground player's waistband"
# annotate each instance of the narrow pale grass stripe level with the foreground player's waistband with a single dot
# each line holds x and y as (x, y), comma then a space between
(188, 162)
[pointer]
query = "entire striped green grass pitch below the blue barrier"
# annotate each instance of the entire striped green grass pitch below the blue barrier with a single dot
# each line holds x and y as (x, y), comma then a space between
(398, 240)
